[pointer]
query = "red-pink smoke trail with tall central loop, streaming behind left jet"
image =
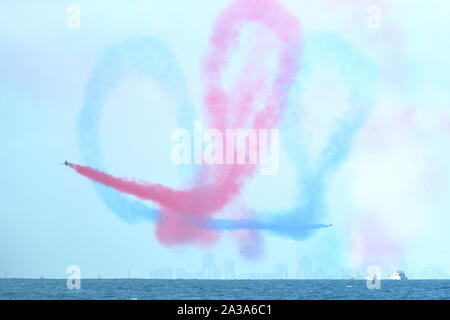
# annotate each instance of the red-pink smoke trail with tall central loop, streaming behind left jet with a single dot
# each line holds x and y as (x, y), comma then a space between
(216, 185)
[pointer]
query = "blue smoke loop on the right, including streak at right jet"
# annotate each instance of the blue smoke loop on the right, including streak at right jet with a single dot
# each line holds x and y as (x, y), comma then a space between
(361, 77)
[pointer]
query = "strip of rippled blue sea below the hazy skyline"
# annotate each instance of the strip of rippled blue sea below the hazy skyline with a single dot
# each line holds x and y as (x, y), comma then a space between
(138, 289)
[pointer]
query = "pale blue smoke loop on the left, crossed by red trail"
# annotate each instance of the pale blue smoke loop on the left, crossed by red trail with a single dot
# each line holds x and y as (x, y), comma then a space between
(145, 56)
